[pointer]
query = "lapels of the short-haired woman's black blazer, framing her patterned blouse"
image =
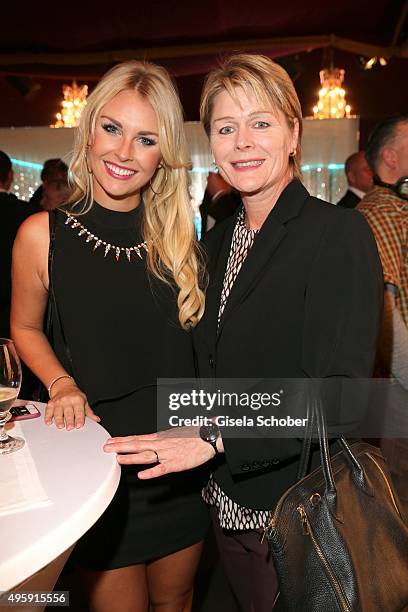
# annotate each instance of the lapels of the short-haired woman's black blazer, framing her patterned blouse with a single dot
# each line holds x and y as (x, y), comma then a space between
(273, 231)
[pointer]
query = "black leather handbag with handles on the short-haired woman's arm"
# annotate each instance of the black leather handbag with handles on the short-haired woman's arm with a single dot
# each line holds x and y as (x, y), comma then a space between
(338, 536)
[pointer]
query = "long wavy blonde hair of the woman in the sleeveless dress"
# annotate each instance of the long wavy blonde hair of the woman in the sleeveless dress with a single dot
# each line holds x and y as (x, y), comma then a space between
(168, 228)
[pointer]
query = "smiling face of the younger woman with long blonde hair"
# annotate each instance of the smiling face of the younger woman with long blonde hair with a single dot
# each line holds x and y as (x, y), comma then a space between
(123, 153)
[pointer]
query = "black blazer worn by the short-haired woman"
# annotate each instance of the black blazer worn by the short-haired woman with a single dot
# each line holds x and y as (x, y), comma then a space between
(306, 303)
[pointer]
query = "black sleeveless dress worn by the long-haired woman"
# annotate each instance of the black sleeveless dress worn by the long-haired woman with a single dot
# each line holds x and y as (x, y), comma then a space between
(122, 332)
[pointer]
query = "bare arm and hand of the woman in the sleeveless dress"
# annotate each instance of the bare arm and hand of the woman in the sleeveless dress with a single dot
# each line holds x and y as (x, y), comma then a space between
(29, 302)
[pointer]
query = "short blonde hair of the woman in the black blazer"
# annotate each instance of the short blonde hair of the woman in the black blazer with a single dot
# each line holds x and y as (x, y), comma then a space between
(257, 75)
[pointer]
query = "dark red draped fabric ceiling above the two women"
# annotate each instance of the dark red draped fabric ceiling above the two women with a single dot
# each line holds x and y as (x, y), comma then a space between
(43, 45)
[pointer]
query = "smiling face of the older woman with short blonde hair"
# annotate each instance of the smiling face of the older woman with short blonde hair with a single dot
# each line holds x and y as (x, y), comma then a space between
(251, 144)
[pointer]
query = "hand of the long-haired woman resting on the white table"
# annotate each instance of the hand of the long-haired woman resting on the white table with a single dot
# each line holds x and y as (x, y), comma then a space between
(68, 406)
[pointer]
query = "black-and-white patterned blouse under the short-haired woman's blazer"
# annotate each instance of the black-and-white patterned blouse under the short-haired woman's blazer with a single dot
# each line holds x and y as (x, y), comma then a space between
(232, 515)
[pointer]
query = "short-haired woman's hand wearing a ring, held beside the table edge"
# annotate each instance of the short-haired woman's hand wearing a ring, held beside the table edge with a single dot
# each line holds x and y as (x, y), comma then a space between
(174, 450)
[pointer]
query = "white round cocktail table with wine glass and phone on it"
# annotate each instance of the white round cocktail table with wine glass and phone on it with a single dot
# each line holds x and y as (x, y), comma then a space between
(79, 480)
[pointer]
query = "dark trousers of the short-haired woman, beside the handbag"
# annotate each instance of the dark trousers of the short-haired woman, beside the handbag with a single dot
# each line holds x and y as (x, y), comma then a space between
(249, 567)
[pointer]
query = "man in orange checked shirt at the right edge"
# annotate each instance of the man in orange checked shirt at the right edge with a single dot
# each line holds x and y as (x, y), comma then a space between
(386, 210)
